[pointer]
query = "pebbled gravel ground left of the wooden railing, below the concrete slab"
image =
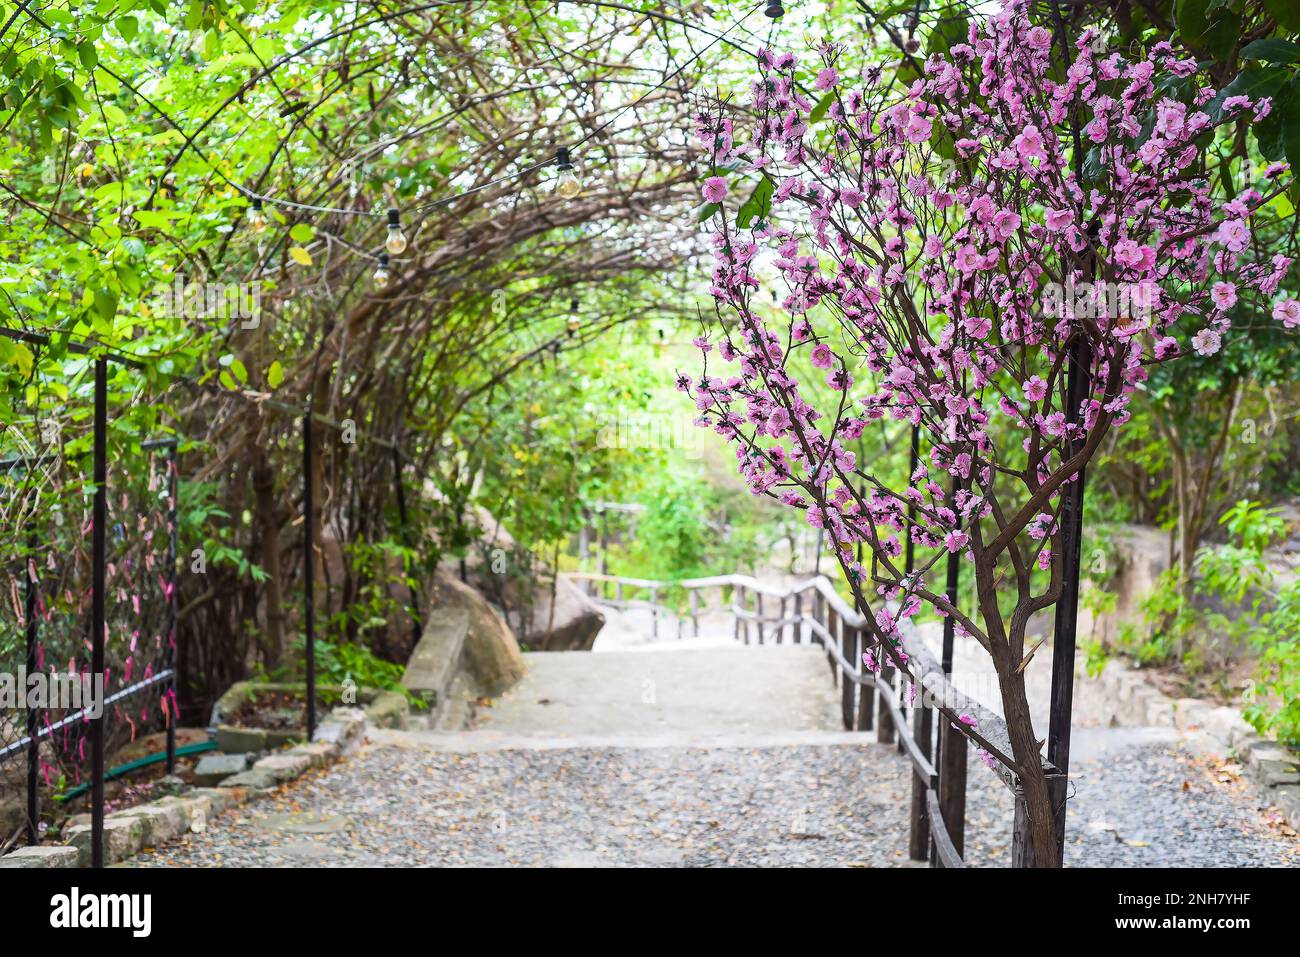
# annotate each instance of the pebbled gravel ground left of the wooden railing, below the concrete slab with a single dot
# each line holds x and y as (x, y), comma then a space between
(599, 807)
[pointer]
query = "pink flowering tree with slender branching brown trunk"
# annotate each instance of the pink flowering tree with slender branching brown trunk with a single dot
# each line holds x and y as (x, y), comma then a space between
(948, 253)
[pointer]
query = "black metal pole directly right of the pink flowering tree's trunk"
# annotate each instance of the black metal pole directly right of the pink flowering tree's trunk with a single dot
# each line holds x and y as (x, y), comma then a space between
(1064, 633)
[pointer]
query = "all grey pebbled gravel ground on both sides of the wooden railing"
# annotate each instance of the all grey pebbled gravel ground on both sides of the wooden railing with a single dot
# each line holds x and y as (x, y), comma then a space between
(406, 802)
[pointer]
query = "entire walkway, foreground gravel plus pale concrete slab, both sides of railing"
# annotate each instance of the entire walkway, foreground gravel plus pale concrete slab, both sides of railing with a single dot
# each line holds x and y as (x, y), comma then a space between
(696, 755)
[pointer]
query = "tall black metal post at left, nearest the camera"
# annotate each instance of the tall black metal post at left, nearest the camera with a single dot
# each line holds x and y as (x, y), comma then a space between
(97, 623)
